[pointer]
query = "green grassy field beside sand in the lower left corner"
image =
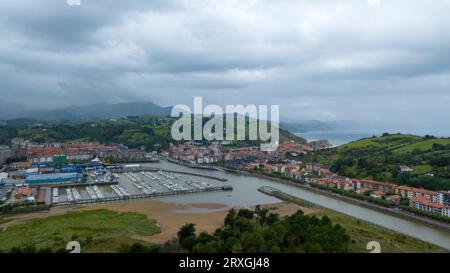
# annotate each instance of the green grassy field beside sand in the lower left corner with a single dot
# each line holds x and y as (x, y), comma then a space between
(96, 230)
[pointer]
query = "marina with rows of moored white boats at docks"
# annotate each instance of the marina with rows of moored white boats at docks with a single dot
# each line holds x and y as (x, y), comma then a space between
(135, 183)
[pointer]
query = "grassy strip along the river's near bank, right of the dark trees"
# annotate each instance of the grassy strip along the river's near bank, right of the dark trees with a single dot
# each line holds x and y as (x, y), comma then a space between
(362, 232)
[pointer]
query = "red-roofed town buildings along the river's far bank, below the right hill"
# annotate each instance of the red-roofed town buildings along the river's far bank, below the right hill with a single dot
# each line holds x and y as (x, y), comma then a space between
(283, 163)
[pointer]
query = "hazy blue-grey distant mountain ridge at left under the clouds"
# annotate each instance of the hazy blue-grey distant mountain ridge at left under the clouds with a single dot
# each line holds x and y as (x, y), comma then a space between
(89, 112)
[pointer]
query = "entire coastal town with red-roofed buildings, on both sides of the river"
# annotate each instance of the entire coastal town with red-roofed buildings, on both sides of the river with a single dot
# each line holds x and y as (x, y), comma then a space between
(29, 167)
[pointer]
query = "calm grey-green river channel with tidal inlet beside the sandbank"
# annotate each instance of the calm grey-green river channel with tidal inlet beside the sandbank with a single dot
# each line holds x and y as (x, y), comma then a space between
(245, 194)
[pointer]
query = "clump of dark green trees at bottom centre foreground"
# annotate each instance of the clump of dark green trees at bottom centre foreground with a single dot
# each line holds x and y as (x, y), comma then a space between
(247, 231)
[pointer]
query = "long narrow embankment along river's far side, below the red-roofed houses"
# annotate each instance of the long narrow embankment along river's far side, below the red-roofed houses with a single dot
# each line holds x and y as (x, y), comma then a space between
(390, 211)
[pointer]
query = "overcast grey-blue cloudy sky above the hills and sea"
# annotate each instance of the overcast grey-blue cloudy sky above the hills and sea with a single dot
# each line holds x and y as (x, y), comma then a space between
(366, 60)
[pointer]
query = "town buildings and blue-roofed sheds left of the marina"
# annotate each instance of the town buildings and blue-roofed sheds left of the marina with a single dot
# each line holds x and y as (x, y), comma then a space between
(28, 166)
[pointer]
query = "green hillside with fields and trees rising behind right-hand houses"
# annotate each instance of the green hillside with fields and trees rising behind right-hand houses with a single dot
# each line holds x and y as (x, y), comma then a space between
(380, 158)
